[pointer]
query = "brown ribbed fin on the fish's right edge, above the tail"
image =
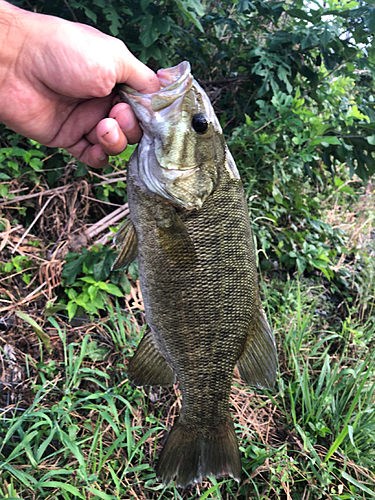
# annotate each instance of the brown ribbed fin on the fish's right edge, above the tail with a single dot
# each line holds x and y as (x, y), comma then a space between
(258, 362)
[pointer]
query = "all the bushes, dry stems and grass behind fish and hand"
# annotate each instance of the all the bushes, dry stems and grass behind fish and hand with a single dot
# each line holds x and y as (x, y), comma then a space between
(292, 83)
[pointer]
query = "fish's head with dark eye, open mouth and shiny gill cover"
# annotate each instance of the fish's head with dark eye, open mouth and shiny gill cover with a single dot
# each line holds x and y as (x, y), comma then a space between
(182, 149)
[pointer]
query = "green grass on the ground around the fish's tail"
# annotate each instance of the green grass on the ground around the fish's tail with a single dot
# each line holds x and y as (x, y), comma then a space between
(89, 434)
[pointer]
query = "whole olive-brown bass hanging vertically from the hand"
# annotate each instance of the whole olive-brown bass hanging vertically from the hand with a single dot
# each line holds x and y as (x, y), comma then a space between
(189, 227)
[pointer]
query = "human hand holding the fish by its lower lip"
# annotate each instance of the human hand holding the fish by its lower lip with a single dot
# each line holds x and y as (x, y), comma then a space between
(57, 80)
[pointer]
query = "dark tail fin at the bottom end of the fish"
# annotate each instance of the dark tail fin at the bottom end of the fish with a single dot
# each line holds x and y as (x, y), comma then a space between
(193, 453)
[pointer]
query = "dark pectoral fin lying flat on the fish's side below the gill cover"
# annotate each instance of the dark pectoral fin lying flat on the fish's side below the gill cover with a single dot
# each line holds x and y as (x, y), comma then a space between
(174, 239)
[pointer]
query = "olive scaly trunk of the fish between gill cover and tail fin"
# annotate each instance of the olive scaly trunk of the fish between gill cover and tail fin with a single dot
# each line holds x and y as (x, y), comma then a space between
(199, 309)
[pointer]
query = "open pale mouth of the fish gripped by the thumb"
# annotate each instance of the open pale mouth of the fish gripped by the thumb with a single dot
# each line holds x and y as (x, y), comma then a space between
(174, 82)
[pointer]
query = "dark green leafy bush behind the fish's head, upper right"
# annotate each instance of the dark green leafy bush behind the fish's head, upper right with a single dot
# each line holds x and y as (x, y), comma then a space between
(293, 91)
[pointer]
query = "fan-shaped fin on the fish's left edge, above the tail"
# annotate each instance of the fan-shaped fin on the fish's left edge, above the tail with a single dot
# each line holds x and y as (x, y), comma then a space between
(148, 366)
